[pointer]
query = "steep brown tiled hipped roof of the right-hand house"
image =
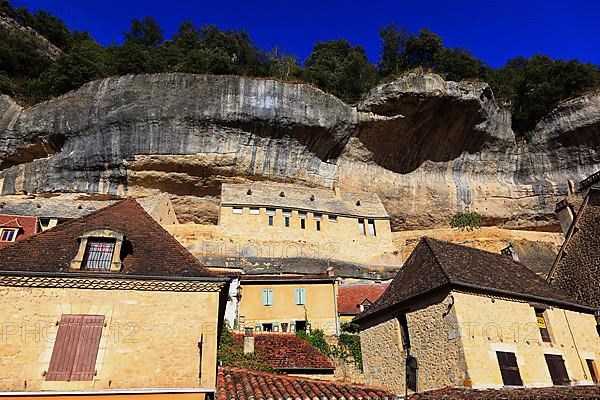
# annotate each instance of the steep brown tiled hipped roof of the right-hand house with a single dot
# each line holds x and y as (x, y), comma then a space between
(436, 264)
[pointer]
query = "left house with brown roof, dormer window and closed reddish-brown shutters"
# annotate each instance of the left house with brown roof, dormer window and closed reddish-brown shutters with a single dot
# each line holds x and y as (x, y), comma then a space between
(109, 301)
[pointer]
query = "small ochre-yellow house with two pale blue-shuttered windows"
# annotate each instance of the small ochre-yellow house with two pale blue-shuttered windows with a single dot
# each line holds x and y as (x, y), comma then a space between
(288, 303)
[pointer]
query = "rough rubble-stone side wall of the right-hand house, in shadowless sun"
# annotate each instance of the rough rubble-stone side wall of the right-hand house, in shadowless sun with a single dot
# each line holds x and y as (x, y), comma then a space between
(435, 342)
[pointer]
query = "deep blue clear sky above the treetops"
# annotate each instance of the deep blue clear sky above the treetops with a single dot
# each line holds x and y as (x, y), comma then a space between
(494, 31)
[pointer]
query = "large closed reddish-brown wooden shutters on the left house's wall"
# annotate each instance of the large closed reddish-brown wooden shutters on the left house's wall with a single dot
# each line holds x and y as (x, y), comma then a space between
(75, 348)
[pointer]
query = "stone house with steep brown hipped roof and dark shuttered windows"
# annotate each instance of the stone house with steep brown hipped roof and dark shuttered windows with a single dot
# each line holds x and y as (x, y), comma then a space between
(462, 317)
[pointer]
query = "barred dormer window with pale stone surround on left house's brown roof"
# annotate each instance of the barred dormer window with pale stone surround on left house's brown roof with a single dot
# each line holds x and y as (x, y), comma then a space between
(100, 251)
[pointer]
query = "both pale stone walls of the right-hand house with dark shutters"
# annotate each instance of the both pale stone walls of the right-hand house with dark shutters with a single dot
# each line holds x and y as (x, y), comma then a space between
(456, 340)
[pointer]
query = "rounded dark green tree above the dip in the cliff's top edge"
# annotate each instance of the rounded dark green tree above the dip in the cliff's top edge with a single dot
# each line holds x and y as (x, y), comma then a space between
(341, 69)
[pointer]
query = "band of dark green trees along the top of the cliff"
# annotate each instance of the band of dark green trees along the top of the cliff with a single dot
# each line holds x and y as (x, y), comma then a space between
(529, 87)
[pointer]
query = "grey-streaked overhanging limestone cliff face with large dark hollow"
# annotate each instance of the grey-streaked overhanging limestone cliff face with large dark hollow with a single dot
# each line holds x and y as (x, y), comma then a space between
(428, 147)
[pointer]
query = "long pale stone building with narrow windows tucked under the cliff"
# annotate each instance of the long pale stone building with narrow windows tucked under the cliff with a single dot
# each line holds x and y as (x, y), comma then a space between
(331, 223)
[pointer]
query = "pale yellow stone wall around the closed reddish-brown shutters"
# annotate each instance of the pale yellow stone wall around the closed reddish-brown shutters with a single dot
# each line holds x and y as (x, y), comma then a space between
(150, 338)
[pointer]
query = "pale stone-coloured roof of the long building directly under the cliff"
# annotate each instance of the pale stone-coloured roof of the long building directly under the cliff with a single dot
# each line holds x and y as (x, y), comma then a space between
(299, 198)
